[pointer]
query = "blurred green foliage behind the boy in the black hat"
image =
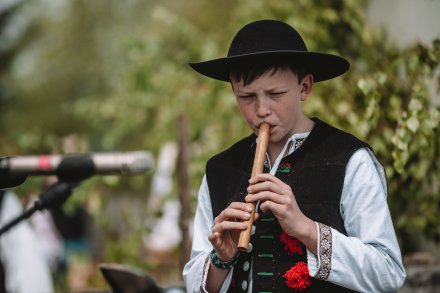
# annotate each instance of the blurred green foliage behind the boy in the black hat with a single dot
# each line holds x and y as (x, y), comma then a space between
(114, 75)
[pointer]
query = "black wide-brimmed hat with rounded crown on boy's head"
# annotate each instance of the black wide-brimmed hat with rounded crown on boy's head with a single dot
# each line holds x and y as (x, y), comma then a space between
(267, 41)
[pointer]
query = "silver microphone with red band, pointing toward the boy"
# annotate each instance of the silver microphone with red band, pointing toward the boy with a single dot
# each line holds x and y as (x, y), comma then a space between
(77, 166)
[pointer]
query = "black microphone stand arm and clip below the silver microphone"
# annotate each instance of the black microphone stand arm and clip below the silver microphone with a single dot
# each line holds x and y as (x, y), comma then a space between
(56, 194)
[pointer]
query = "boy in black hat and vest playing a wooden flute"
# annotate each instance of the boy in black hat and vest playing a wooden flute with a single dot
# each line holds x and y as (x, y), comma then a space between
(322, 221)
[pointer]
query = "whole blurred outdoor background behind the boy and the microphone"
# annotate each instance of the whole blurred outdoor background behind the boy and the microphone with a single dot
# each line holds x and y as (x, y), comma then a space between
(81, 76)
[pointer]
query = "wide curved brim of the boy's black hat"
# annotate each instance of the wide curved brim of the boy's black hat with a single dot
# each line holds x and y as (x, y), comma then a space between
(321, 65)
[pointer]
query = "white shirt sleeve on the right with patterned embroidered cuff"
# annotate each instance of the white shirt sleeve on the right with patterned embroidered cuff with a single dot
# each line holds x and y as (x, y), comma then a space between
(368, 259)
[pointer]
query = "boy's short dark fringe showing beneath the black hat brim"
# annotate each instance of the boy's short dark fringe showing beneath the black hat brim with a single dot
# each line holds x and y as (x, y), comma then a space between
(248, 72)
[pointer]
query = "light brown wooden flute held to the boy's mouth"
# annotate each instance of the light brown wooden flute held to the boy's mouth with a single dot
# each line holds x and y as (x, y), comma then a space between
(257, 168)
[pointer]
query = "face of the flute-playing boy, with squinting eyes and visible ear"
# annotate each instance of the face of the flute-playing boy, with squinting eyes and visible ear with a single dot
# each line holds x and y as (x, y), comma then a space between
(274, 98)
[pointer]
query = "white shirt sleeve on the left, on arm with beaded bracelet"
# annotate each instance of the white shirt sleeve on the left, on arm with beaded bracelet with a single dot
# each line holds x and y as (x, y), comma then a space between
(195, 271)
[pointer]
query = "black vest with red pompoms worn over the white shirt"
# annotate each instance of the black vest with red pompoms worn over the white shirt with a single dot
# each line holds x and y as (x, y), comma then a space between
(315, 172)
